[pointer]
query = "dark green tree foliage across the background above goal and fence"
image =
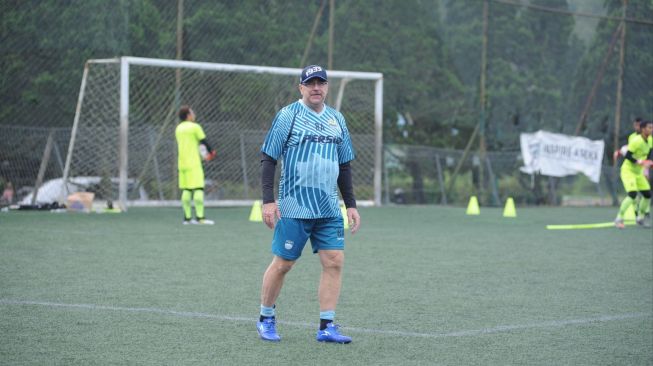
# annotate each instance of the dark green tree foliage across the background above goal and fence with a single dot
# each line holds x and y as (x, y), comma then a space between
(539, 72)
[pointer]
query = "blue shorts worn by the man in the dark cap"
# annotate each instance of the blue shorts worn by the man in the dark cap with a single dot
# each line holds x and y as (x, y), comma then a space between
(291, 235)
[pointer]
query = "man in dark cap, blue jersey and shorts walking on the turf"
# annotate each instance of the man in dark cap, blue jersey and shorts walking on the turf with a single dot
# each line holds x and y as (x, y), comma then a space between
(314, 145)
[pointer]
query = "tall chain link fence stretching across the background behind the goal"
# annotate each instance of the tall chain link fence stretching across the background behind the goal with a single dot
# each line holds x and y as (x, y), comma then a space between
(500, 67)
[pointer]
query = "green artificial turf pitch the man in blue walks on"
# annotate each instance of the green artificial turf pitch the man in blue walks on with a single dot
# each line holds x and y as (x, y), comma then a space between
(422, 286)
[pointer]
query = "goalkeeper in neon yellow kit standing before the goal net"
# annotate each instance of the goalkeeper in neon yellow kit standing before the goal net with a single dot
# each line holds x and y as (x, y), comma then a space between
(190, 141)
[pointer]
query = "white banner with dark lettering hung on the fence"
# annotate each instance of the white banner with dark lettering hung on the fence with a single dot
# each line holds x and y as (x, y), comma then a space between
(559, 155)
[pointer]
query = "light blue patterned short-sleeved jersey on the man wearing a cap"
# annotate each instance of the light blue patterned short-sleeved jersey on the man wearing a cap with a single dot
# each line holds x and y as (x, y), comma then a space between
(310, 156)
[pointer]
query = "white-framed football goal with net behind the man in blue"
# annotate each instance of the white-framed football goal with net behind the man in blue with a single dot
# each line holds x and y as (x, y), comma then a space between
(123, 133)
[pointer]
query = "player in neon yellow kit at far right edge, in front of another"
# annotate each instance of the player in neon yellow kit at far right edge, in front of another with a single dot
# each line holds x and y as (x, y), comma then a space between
(637, 158)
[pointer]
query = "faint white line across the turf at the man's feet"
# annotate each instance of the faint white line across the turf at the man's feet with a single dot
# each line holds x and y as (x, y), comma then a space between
(460, 333)
